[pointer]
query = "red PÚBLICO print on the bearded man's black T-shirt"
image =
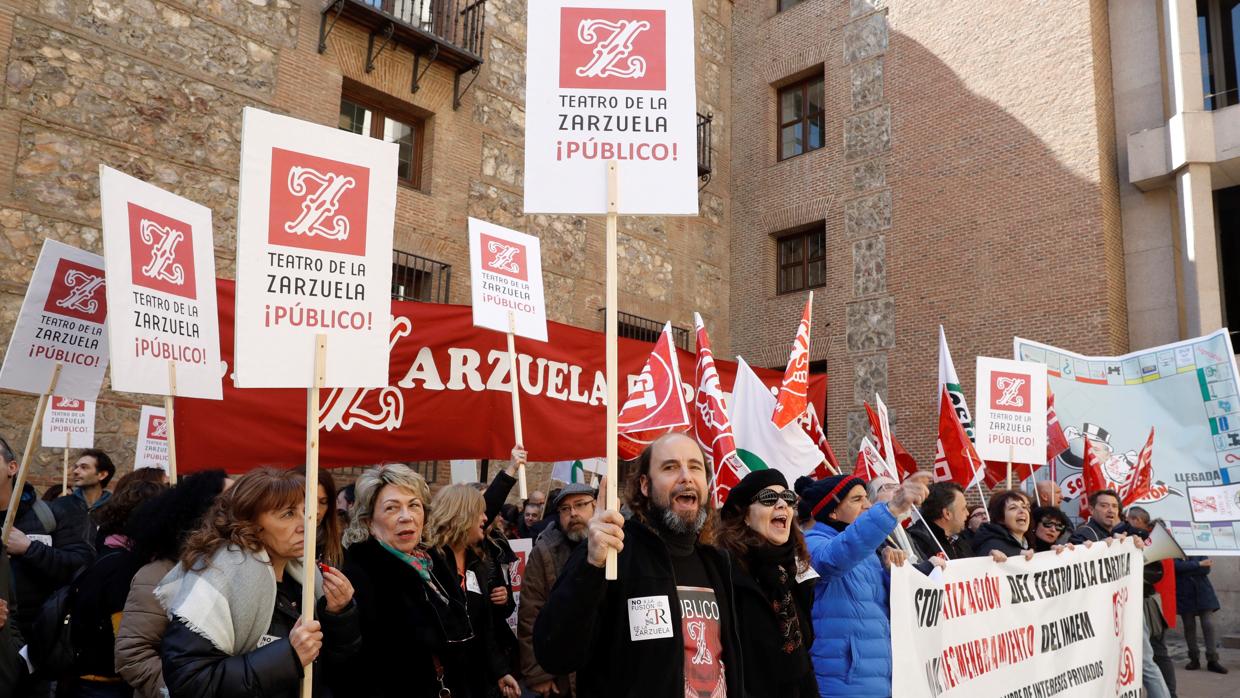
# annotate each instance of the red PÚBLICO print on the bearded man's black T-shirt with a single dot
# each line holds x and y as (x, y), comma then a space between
(704, 643)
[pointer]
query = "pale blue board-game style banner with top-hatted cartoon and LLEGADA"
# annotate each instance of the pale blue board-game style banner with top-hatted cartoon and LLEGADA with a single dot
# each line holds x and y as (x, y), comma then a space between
(1187, 392)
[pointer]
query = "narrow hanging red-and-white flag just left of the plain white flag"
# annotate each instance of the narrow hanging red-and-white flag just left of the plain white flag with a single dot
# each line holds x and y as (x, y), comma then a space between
(712, 427)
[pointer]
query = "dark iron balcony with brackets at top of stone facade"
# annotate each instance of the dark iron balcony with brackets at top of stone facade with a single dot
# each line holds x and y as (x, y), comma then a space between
(448, 32)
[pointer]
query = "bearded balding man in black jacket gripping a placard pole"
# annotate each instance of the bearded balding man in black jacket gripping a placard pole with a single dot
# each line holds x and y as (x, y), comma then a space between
(668, 627)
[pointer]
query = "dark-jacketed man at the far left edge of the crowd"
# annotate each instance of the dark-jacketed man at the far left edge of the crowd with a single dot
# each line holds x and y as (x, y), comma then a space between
(48, 545)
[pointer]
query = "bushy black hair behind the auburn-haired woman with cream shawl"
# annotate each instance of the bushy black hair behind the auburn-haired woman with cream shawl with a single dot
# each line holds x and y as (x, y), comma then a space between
(161, 526)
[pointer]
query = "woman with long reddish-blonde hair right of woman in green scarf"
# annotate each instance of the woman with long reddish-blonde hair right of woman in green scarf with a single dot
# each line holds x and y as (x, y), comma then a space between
(458, 529)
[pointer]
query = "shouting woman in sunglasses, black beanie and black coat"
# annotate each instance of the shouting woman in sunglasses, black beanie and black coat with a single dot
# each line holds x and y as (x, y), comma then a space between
(774, 586)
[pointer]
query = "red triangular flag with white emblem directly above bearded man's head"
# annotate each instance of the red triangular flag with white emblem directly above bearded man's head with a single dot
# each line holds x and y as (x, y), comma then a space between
(657, 402)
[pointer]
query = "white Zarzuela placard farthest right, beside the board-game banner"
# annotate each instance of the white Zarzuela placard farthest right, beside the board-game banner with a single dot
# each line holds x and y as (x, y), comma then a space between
(1011, 411)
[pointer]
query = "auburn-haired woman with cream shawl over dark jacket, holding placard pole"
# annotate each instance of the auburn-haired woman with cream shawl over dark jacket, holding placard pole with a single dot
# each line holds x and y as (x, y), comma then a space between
(234, 602)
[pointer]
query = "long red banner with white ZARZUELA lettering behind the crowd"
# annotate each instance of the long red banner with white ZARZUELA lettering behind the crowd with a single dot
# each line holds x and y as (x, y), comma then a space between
(449, 399)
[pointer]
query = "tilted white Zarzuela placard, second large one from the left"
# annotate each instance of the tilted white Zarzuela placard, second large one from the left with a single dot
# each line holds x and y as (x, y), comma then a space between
(162, 288)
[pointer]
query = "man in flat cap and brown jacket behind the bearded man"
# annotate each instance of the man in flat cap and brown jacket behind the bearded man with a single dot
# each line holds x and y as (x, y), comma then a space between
(575, 508)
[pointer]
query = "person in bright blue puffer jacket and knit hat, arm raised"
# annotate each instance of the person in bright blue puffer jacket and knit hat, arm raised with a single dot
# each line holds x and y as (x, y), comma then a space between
(852, 644)
